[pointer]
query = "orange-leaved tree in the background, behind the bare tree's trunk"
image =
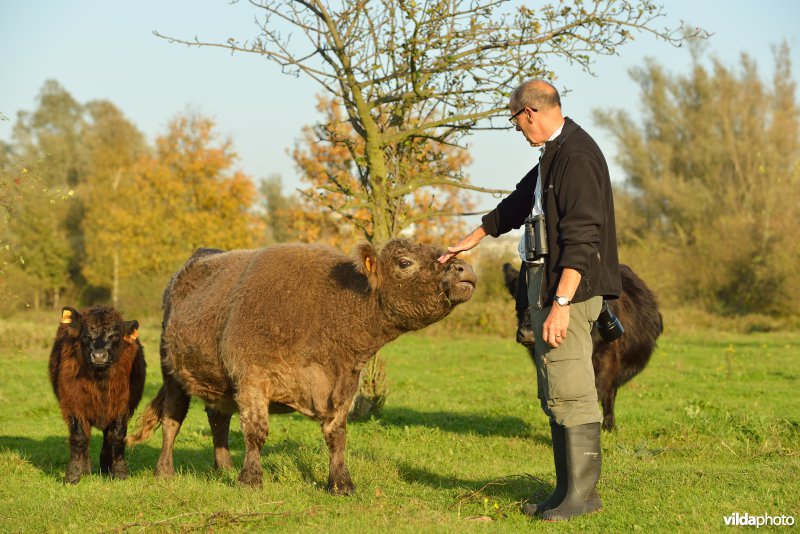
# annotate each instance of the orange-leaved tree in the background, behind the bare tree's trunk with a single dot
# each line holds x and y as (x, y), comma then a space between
(330, 170)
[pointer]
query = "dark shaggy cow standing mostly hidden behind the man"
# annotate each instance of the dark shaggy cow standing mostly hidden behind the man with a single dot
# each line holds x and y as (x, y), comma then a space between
(615, 362)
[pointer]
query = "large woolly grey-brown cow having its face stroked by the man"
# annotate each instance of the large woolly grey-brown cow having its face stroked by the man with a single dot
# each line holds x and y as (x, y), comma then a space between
(289, 328)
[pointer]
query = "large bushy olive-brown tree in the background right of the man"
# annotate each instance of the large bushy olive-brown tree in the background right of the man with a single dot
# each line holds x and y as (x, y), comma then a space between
(709, 212)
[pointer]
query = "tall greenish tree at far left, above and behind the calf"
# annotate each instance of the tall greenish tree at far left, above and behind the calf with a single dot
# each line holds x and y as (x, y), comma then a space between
(49, 163)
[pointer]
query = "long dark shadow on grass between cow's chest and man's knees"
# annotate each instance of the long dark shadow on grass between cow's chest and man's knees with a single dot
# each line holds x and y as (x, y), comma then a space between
(464, 423)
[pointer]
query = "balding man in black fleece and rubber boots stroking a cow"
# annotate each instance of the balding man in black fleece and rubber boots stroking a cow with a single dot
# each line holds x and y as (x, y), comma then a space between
(572, 188)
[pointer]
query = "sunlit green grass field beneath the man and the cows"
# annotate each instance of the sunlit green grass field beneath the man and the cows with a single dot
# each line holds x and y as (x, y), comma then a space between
(710, 428)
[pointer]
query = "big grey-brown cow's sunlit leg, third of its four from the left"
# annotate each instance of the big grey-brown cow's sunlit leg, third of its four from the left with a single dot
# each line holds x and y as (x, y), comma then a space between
(253, 401)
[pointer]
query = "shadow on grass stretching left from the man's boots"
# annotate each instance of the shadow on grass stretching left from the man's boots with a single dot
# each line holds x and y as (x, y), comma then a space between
(518, 487)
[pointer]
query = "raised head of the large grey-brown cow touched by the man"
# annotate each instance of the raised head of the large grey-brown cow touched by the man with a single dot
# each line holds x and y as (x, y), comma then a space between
(413, 288)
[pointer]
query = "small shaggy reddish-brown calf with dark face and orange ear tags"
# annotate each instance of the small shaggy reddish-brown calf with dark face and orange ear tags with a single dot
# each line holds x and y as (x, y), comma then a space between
(97, 371)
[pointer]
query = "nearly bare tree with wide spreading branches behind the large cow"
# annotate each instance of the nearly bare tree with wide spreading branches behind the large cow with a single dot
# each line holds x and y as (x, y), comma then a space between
(414, 77)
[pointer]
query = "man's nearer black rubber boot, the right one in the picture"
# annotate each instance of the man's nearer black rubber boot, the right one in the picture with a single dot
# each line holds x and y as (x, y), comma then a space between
(583, 471)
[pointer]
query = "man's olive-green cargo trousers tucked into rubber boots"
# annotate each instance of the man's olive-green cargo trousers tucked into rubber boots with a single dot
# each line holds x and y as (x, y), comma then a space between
(565, 376)
